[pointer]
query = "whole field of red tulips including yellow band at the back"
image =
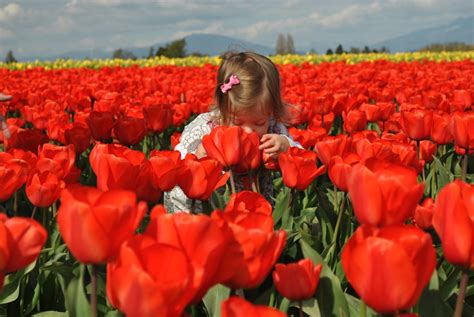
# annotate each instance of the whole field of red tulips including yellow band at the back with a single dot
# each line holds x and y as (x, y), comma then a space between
(373, 216)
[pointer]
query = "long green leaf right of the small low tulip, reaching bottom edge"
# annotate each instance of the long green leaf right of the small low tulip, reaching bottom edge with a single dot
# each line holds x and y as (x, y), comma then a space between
(331, 298)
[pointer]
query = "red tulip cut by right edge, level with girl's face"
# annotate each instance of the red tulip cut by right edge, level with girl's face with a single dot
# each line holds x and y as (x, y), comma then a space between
(462, 129)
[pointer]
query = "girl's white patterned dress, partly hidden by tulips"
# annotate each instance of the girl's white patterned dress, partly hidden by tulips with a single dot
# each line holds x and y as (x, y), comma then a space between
(176, 200)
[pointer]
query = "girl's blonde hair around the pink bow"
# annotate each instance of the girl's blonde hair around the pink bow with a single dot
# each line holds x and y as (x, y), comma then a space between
(259, 86)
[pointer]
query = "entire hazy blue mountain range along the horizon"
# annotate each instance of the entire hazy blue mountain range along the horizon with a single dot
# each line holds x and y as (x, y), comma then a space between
(460, 30)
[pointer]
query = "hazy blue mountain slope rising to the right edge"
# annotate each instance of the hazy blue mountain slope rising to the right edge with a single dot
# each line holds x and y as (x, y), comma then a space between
(460, 30)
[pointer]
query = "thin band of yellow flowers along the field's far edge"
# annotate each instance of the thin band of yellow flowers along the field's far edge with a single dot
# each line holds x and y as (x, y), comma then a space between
(278, 59)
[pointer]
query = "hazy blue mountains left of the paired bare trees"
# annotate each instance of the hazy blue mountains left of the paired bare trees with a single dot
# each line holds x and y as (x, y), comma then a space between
(207, 44)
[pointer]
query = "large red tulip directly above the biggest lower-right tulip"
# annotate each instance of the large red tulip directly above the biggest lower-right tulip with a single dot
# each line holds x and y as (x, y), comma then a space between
(383, 193)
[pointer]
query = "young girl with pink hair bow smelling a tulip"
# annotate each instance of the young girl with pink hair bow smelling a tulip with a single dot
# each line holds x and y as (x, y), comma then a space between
(247, 95)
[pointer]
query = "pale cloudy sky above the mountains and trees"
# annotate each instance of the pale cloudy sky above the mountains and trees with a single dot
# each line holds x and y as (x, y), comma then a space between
(47, 27)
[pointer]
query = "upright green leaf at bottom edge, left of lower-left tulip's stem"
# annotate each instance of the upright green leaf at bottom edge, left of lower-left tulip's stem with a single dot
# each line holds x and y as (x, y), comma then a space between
(76, 300)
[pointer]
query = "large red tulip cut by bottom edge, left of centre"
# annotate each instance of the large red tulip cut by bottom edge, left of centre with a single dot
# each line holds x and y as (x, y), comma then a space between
(156, 287)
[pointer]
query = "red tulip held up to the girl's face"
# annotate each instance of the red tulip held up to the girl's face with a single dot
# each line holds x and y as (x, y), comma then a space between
(234, 148)
